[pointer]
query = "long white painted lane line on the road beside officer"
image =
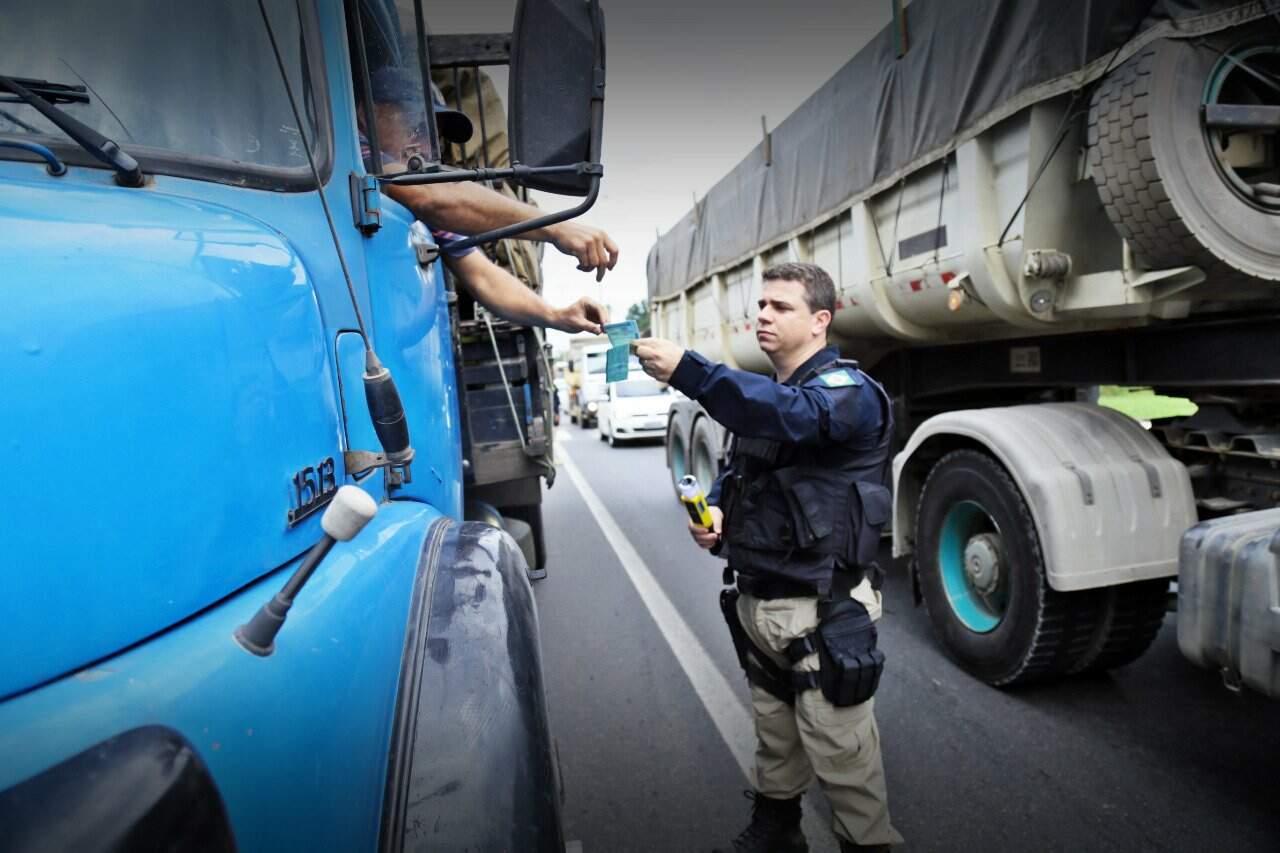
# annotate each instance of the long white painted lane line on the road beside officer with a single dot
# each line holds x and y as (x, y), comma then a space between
(732, 718)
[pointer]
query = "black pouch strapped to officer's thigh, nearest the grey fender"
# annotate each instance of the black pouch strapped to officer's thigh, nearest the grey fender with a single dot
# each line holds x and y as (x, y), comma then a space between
(851, 664)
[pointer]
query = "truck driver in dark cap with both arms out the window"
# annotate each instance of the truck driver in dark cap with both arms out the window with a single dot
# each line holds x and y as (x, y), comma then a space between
(473, 208)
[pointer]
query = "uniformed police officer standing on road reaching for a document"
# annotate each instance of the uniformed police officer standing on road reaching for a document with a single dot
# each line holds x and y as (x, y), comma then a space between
(797, 514)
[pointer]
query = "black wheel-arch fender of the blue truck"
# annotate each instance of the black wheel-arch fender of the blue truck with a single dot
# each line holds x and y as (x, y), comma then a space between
(473, 765)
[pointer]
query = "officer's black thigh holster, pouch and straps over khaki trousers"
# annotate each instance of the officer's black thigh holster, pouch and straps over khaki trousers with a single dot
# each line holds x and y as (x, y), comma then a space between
(849, 664)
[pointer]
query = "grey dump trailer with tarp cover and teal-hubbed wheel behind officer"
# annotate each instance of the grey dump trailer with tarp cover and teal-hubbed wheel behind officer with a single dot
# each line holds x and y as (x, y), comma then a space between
(1020, 204)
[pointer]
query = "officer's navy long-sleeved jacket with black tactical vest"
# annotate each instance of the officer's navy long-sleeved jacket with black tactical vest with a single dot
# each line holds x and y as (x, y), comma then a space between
(808, 466)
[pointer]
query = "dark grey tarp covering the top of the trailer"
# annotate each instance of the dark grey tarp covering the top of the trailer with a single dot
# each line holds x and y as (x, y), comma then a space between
(971, 65)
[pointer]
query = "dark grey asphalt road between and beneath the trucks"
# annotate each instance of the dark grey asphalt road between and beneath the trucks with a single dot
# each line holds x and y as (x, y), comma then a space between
(651, 710)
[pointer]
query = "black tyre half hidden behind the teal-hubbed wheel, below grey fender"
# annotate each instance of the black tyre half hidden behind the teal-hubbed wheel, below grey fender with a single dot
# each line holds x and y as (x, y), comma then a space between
(1130, 619)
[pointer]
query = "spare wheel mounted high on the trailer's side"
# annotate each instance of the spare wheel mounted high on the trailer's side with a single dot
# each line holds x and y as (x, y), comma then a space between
(1177, 183)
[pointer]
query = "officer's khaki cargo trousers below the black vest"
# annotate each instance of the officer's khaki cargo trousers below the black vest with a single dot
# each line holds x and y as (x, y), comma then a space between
(842, 746)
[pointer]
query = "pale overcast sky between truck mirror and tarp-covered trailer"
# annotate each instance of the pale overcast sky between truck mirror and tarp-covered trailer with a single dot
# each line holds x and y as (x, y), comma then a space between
(688, 83)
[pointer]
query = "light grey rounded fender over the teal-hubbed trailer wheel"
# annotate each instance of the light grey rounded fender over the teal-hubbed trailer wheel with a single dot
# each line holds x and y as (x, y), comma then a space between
(1109, 503)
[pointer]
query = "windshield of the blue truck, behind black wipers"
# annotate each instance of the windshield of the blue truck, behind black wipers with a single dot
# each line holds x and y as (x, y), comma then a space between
(185, 88)
